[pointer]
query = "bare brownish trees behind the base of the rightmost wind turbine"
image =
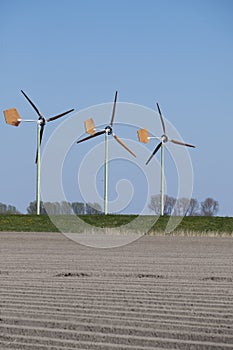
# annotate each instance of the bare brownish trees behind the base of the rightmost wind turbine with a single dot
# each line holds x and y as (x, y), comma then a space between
(184, 206)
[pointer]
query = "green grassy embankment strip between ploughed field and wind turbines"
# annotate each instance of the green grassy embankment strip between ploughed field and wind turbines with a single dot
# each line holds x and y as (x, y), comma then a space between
(195, 224)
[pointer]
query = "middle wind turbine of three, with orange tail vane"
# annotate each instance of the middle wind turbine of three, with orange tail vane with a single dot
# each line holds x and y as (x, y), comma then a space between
(108, 130)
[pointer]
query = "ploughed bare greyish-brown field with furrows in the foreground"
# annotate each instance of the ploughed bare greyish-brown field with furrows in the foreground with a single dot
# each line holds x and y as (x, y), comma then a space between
(156, 293)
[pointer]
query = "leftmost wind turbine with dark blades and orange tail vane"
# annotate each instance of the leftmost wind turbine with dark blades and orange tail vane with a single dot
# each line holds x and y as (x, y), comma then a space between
(12, 117)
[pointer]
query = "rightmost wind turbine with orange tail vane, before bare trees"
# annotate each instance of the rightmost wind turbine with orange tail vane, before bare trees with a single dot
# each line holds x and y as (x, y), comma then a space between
(143, 136)
